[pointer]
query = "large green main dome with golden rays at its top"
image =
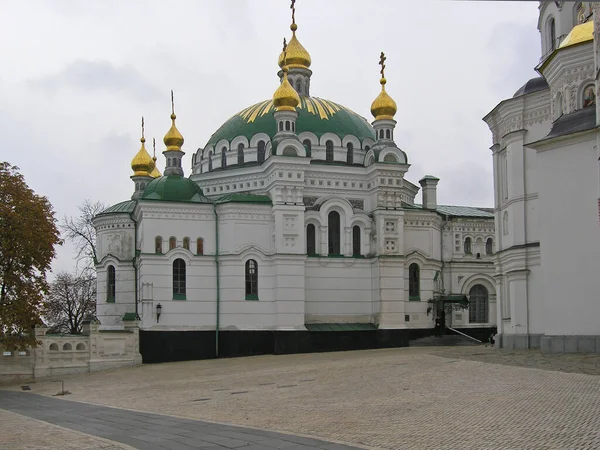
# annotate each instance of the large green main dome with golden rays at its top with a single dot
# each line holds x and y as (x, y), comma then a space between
(316, 115)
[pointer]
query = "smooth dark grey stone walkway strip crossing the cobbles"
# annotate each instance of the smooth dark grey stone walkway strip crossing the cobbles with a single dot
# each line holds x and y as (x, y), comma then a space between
(149, 431)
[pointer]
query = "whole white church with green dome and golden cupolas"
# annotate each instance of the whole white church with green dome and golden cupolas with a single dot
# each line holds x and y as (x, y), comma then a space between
(295, 231)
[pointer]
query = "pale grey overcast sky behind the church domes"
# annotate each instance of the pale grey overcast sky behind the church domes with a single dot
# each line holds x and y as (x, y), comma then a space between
(76, 76)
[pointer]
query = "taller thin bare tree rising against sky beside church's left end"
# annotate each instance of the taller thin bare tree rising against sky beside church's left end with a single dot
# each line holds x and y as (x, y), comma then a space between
(81, 232)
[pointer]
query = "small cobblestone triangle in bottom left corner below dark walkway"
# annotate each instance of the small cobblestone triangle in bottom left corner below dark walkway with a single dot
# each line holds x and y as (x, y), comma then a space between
(19, 432)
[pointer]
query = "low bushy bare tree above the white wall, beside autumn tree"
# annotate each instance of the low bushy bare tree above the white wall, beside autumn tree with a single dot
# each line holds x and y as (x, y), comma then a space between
(71, 299)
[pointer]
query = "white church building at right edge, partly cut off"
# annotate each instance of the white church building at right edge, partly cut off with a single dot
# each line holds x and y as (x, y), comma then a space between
(546, 178)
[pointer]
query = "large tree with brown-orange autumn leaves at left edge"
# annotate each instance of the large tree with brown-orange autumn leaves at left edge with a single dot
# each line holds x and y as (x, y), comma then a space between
(28, 236)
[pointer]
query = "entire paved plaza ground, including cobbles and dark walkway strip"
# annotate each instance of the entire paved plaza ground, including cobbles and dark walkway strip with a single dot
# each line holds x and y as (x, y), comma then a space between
(410, 398)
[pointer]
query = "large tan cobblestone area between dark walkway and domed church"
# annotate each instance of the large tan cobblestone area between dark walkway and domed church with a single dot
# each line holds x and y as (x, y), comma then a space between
(410, 398)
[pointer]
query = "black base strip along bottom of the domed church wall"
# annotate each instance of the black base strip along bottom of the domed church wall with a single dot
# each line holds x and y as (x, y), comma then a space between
(166, 346)
